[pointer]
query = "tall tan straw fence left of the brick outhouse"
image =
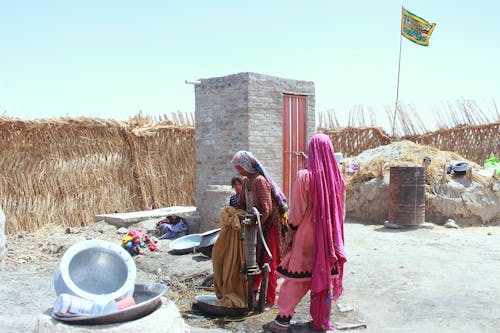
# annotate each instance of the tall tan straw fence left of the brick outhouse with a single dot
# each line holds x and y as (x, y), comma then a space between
(66, 171)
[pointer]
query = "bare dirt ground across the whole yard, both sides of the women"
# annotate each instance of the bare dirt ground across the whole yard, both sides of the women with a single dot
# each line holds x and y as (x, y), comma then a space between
(418, 280)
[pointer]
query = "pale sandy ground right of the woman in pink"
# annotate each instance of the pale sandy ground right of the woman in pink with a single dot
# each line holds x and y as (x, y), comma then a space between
(440, 280)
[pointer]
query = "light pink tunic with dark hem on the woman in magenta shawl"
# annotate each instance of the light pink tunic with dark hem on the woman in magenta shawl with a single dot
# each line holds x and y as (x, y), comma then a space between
(297, 264)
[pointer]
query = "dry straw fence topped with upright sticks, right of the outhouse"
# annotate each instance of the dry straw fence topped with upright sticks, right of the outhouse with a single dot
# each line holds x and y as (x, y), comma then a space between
(463, 128)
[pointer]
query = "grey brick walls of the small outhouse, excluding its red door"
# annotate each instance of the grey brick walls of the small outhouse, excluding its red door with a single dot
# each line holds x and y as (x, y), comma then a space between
(242, 111)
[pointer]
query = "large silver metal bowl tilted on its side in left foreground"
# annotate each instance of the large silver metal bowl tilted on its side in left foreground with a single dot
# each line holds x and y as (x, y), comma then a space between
(96, 270)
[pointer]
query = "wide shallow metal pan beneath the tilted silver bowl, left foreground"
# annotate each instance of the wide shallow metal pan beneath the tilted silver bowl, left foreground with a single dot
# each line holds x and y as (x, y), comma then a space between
(147, 298)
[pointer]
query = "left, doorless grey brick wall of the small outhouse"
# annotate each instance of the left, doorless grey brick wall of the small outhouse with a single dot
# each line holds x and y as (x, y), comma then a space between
(222, 121)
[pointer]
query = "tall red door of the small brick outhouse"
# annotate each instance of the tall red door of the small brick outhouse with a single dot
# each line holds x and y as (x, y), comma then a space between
(294, 139)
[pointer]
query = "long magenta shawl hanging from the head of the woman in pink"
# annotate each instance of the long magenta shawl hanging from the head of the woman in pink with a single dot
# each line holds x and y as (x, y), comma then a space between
(327, 194)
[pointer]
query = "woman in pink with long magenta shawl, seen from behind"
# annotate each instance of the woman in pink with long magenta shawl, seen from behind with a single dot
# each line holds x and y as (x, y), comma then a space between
(316, 221)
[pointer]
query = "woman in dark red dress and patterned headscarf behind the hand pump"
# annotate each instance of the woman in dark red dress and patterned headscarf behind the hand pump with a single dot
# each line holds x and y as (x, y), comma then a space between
(267, 197)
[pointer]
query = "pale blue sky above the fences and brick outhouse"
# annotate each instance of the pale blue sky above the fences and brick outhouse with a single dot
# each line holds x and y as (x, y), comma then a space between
(110, 59)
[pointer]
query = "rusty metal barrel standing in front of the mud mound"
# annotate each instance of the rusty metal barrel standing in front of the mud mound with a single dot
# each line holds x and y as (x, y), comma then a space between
(407, 196)
